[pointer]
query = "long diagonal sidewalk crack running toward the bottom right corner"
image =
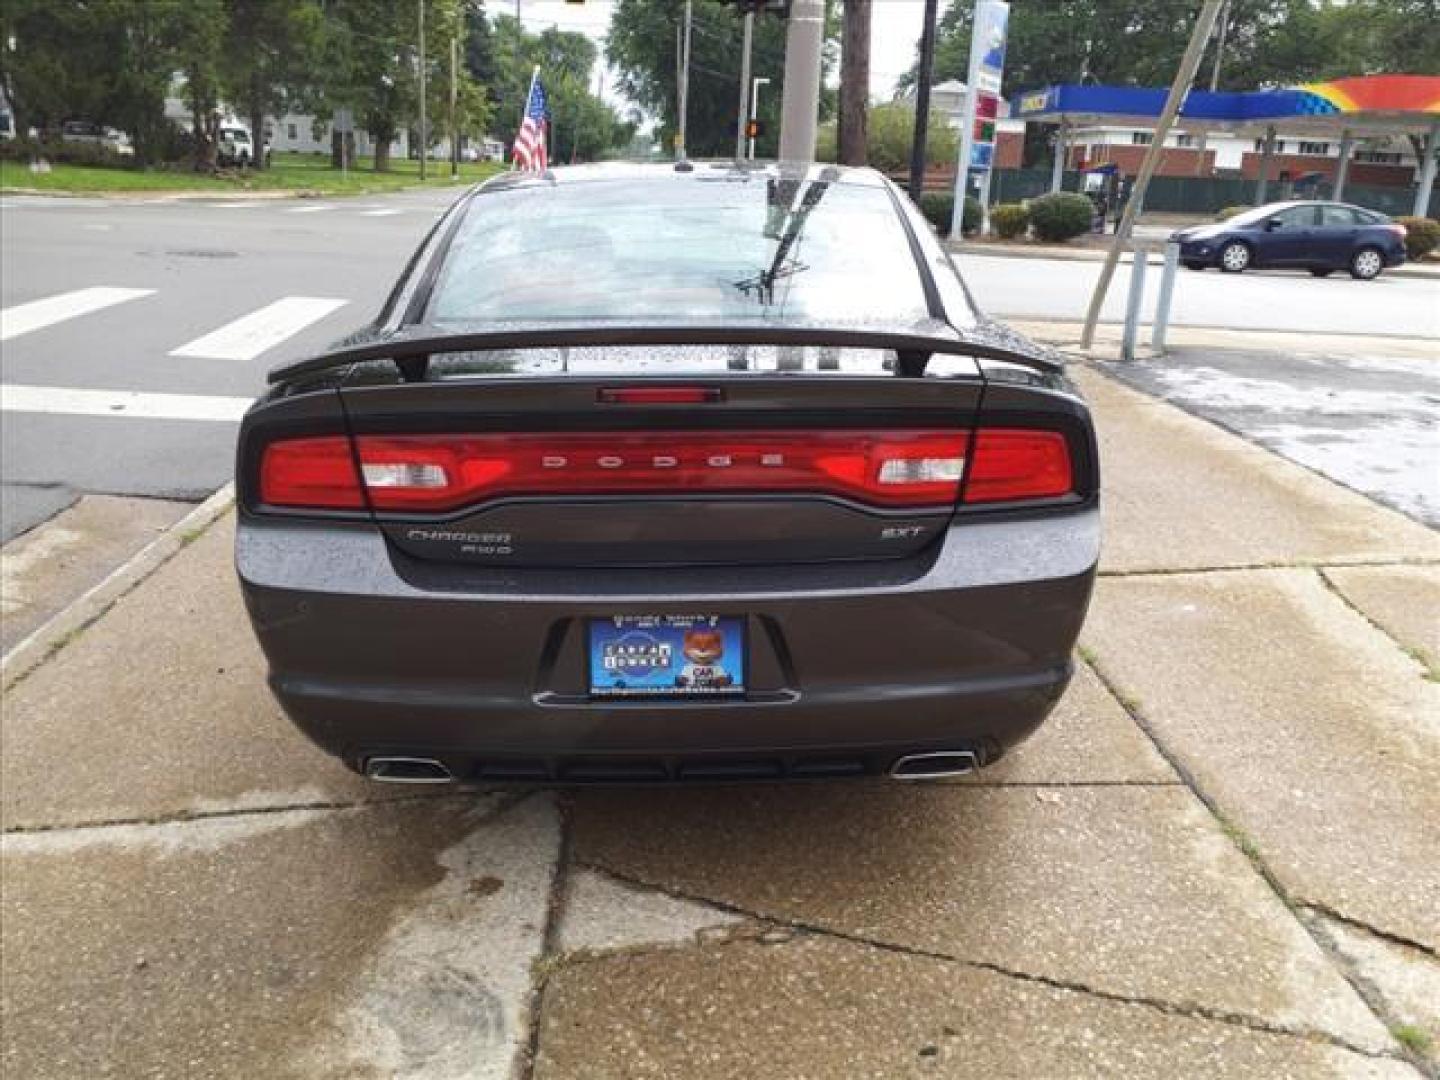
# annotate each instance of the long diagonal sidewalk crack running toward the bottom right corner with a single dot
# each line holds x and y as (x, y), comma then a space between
(1184, 1010)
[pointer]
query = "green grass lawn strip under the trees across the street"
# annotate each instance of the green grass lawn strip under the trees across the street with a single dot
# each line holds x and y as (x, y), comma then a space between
(293, 174)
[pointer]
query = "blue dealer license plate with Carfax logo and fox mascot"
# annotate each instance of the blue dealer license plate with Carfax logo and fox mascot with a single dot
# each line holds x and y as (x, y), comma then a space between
(667, 656)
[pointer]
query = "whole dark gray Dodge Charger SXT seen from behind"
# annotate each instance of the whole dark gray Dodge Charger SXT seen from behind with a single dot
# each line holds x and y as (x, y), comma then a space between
(672, 473)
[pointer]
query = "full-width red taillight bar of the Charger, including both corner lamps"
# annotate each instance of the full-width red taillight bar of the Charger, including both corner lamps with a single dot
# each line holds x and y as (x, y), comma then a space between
(441, 473)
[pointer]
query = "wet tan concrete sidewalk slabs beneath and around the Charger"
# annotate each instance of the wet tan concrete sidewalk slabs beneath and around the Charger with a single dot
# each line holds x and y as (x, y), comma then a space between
(1216, 860)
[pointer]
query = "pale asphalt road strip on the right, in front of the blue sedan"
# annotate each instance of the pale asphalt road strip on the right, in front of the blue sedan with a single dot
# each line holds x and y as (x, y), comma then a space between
(1258, 300)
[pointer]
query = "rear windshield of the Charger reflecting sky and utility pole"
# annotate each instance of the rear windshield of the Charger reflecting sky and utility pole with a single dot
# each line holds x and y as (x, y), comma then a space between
(682, 251)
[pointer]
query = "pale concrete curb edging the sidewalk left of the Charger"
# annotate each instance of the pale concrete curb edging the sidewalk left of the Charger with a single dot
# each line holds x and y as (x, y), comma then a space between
(44, 643)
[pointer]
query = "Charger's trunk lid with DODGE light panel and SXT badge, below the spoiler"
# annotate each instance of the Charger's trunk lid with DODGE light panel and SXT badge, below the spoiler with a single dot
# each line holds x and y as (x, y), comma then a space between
(663, 456)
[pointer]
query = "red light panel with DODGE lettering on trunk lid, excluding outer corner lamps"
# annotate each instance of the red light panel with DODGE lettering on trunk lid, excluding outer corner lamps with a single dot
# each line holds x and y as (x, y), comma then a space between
(908, 469)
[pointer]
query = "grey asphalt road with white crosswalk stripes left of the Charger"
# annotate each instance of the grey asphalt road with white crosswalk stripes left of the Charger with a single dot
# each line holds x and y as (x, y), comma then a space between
(169, 297)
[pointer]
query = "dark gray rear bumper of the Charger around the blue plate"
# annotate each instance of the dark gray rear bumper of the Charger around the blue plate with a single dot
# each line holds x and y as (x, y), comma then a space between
(852, 665)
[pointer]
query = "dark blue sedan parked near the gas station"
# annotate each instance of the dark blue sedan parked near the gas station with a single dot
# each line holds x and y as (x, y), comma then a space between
(1321, 238)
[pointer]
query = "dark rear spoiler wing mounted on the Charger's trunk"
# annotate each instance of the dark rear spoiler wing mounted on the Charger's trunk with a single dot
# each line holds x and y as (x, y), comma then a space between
(413, 348)
